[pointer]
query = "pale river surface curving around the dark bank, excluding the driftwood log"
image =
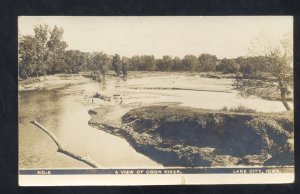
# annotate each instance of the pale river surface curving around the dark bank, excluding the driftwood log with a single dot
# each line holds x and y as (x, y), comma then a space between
(65, 113)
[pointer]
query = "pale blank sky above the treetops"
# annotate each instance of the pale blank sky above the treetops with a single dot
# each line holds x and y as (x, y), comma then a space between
(223, 36)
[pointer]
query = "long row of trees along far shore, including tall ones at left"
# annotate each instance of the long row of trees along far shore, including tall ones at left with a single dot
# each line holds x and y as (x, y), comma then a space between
(45, 53)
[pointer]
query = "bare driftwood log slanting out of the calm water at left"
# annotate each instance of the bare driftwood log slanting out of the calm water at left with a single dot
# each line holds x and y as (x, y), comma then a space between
(61, 149)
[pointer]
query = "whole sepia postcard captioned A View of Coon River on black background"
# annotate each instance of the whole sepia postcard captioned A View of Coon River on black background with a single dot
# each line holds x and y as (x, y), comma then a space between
(155, 100)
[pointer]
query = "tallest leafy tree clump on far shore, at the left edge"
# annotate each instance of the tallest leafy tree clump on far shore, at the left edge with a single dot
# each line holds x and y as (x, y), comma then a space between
(42, 53)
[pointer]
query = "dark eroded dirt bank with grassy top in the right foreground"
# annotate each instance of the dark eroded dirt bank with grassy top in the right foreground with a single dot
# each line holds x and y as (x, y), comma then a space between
(181, 136)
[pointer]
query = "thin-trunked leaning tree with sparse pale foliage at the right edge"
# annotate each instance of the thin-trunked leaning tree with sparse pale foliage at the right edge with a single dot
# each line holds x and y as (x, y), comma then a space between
(278, 77)
